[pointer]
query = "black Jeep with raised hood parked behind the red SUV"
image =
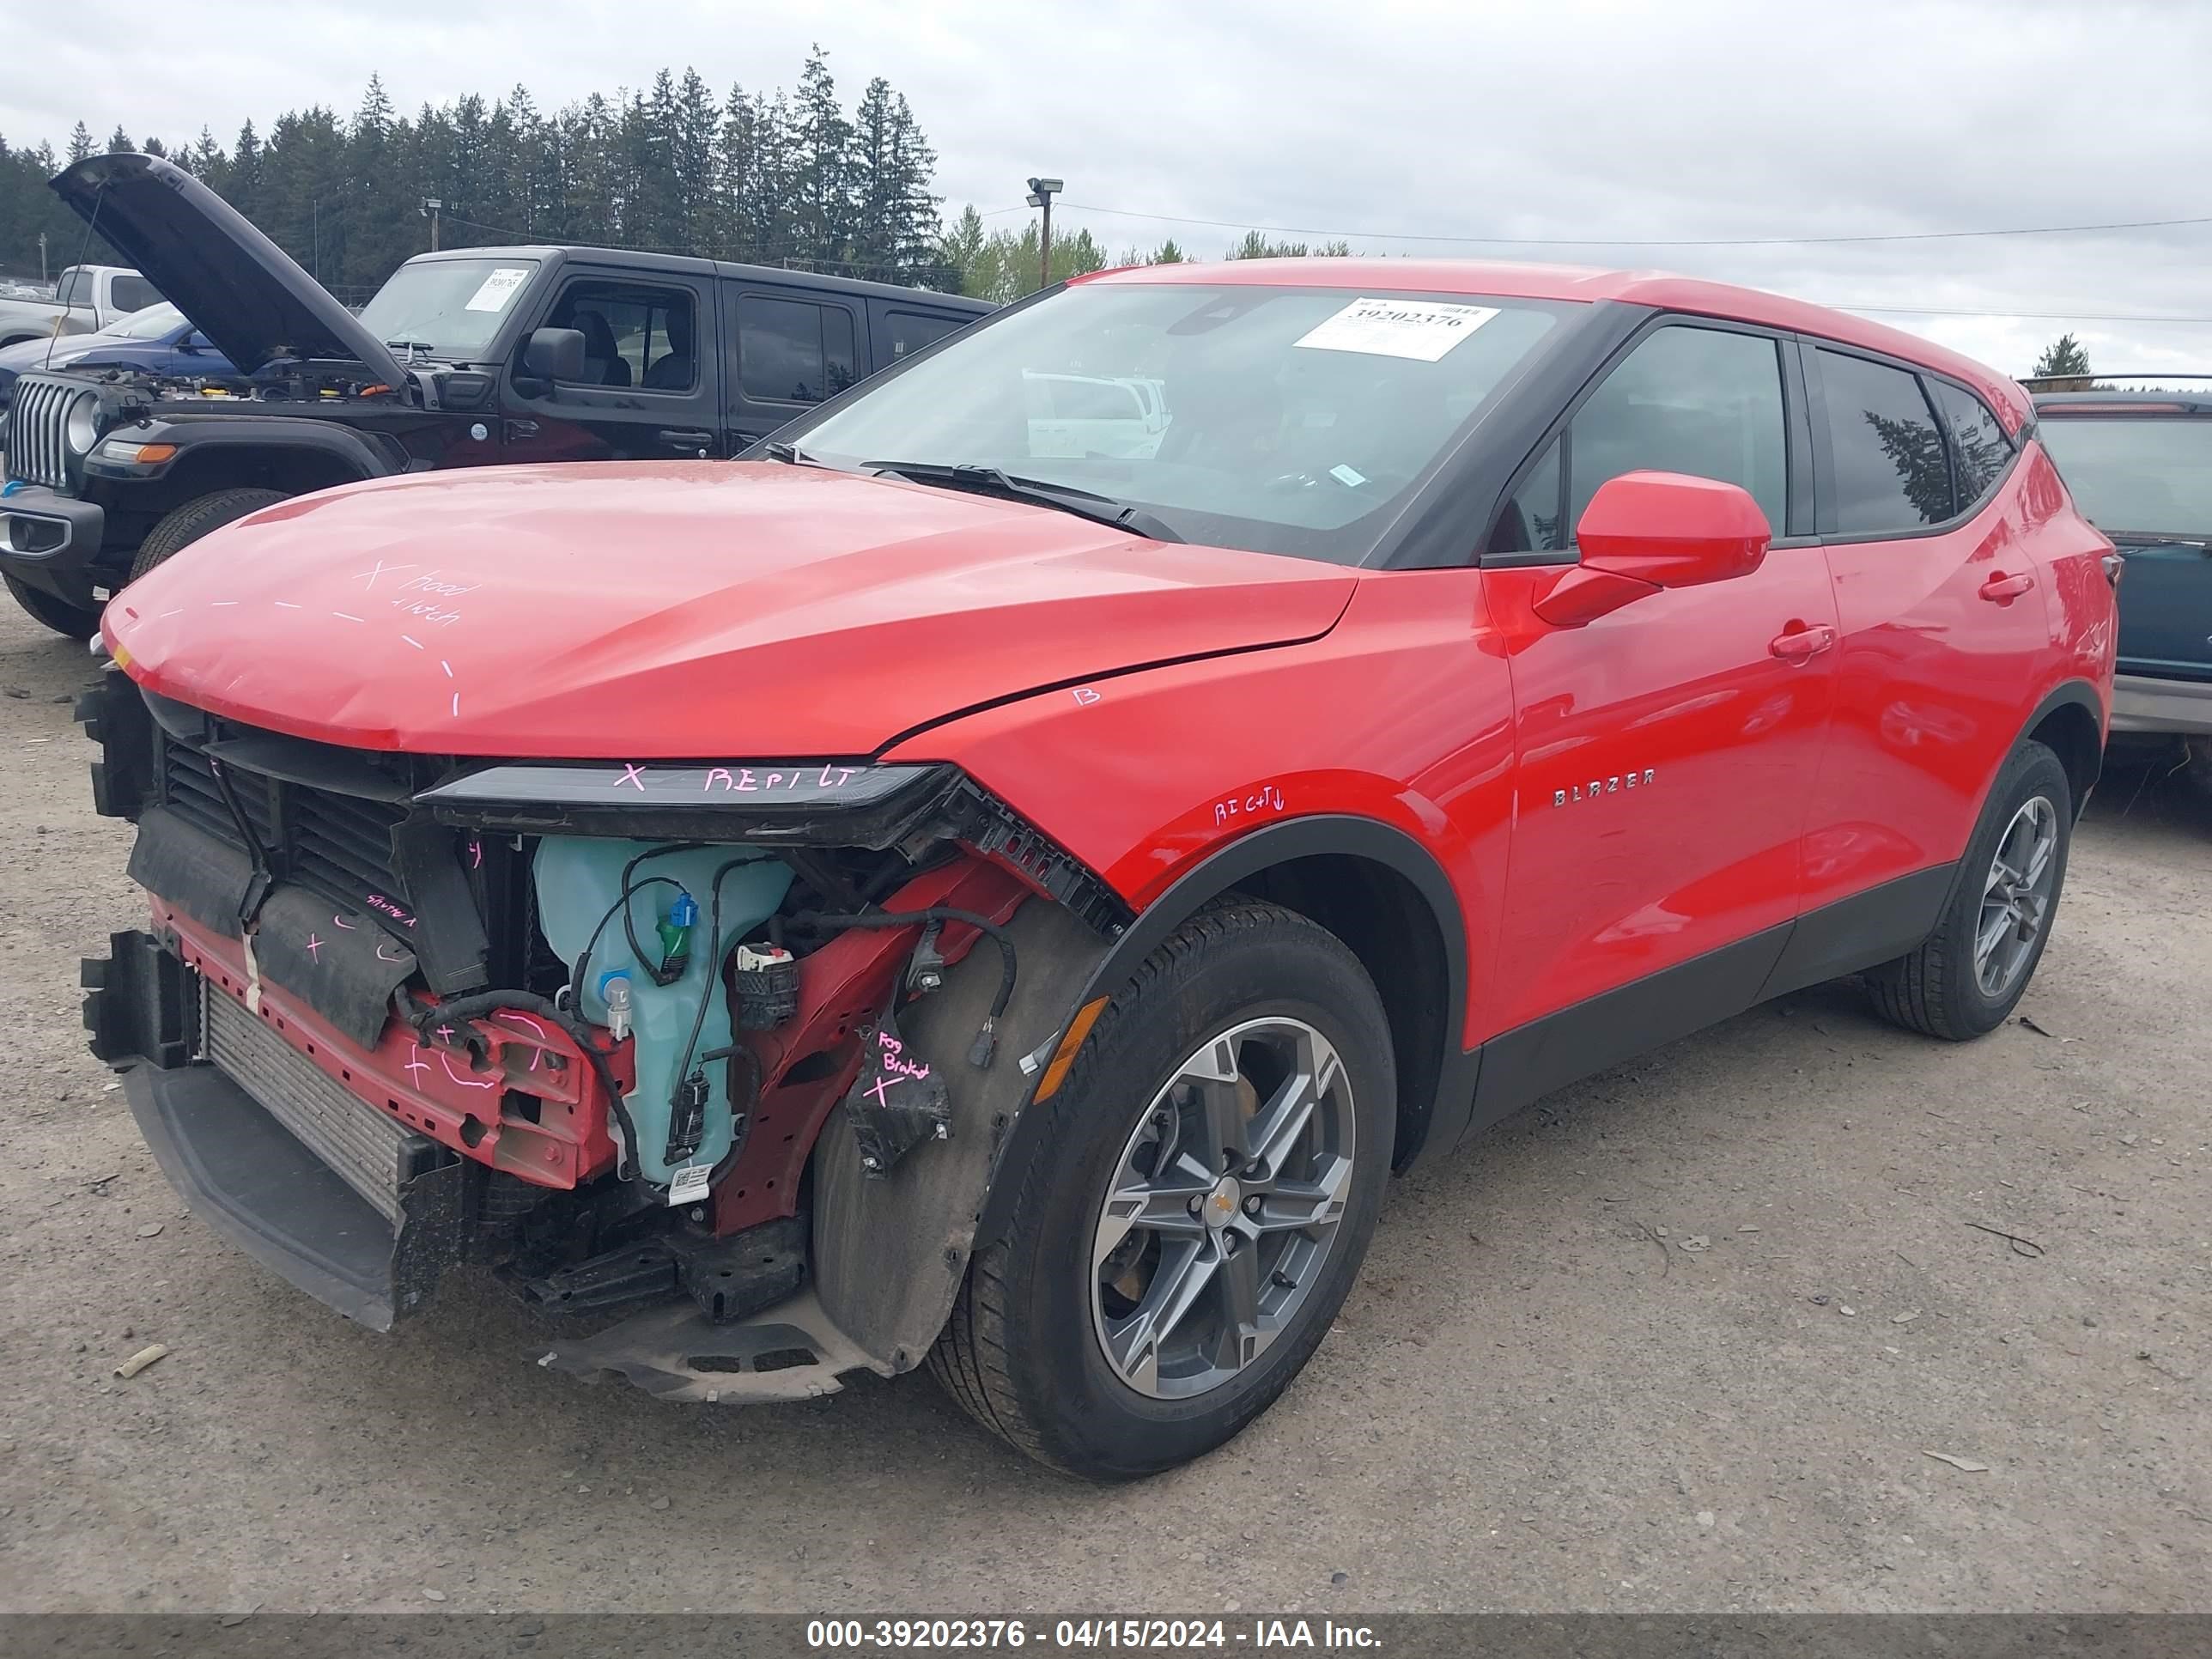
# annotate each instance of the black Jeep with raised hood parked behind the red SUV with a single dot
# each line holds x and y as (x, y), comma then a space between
(463, 359)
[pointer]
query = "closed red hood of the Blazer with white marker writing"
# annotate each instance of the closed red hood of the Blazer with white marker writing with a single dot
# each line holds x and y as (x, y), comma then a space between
(676, 612)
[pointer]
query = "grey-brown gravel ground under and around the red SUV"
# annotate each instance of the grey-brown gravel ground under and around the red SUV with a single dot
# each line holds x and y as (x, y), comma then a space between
(1680, 1339)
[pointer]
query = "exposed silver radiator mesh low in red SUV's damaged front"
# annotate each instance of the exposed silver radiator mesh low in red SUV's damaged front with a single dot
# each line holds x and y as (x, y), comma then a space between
(368, 1149)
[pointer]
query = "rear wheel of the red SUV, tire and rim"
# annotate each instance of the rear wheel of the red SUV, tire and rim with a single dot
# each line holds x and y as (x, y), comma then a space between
(1948, 988)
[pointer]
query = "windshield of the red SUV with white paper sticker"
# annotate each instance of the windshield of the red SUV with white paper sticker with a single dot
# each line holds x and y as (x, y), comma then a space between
(1273, 419)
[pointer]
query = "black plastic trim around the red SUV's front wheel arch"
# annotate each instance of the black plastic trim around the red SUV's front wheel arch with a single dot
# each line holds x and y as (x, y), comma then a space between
(1220, 873)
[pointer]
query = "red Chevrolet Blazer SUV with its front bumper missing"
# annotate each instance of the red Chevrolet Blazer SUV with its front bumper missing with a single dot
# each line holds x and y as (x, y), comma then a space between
(1003, 875)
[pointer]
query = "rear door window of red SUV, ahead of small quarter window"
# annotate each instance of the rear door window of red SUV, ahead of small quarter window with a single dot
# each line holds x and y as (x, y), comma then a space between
(1890, 466)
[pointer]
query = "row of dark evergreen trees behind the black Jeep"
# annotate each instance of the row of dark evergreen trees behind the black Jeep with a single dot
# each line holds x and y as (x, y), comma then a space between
(758, 176)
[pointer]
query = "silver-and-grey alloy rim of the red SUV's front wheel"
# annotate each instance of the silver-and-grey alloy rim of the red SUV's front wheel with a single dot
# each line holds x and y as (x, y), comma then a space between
(1222, 1209)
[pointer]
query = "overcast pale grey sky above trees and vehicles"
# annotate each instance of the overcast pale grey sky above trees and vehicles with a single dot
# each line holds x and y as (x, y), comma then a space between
(1496, 118)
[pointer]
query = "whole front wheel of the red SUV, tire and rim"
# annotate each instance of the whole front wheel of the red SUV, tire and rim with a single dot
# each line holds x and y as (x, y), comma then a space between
(1027, 1344)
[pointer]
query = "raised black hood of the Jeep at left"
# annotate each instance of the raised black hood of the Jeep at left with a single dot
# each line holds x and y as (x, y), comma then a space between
(238, 286)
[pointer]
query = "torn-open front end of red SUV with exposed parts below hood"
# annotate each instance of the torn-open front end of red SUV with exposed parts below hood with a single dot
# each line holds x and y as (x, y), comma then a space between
(711, 1061)
